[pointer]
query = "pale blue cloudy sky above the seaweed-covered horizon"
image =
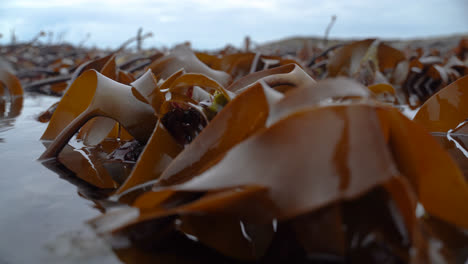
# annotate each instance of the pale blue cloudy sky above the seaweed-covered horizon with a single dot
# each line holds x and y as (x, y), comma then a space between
(213, 24)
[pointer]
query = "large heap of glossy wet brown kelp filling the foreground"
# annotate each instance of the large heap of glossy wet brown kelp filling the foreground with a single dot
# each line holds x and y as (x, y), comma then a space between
(356, 154)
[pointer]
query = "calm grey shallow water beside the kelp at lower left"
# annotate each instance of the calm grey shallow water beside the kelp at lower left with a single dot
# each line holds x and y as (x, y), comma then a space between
(42, 219)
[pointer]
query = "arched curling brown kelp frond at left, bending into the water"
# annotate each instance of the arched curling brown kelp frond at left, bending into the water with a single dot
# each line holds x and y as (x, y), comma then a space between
(97, 95)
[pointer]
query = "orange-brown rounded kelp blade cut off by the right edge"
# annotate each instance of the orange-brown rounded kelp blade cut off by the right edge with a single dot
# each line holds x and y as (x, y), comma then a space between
(446, 109)
